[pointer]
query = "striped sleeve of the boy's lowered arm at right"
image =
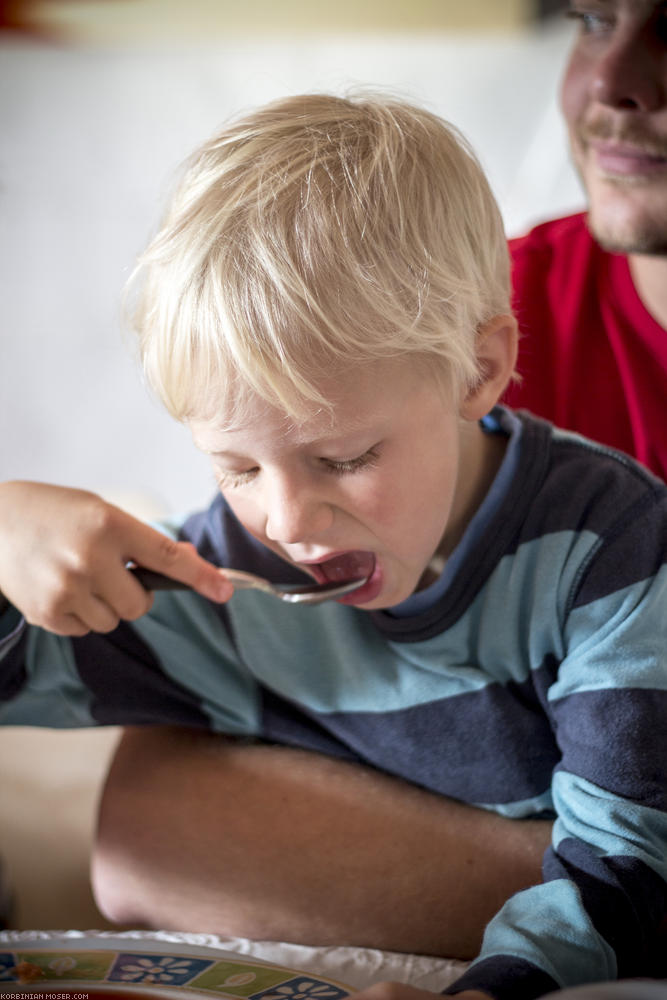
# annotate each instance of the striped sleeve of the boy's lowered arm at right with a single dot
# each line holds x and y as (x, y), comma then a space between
(596, 915)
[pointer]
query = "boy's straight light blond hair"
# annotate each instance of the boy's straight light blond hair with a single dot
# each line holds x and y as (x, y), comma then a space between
(315, 235)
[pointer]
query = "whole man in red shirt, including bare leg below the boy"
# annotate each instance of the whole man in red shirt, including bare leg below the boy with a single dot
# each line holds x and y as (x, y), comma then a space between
(275, 843)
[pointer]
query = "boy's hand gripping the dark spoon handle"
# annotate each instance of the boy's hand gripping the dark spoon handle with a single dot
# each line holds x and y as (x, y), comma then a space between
(63, 554)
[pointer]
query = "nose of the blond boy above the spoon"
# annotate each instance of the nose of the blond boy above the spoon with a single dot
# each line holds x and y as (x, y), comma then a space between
(295, 512)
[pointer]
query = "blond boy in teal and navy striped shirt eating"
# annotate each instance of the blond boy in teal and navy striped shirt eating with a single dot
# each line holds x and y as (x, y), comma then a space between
(327, 308)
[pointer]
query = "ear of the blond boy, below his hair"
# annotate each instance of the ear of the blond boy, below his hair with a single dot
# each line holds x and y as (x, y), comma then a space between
(497, 345)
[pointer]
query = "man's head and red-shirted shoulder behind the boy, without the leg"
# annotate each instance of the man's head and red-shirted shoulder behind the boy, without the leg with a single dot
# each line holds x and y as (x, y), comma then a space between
(593, 308)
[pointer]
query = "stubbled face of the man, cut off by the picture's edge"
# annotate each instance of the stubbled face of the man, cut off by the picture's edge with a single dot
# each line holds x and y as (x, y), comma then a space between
(614, 99)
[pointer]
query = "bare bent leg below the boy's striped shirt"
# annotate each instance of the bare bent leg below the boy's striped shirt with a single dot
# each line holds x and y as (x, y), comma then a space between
(201, 833)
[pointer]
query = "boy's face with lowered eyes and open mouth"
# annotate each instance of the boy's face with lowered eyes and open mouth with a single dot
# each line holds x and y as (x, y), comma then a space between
(396, 475)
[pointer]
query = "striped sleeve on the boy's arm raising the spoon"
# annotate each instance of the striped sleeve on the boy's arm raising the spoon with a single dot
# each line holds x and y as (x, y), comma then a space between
(176, 665)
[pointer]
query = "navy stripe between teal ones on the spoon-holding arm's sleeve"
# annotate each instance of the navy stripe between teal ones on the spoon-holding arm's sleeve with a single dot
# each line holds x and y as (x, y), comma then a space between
(127, 684)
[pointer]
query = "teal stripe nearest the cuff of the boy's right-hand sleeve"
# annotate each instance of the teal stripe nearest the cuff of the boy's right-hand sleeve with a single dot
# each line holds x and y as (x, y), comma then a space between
(549, 927)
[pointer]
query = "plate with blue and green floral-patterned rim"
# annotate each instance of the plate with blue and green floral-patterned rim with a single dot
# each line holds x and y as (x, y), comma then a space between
(95, 969)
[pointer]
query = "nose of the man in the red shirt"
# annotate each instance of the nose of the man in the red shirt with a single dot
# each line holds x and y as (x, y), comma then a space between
(629, 74)
